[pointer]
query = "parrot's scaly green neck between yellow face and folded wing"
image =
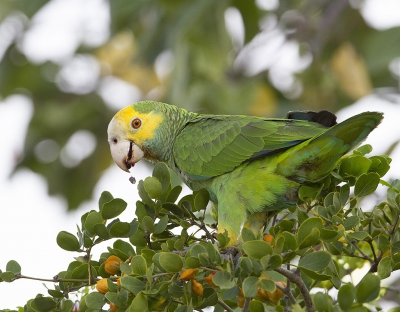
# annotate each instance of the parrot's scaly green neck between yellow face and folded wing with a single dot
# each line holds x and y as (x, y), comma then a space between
(175, 120)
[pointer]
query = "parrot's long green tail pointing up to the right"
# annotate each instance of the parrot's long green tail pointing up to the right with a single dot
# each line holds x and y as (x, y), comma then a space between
(313, 159)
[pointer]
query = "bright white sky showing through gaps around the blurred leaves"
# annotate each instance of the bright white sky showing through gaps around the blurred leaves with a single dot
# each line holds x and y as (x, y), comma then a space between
(30, 219)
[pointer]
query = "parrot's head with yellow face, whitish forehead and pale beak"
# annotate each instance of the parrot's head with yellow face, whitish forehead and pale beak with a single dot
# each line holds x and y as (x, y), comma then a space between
(133, 131)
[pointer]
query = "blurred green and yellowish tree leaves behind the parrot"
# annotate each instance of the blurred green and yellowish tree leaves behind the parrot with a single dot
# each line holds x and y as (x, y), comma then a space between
(203, 69)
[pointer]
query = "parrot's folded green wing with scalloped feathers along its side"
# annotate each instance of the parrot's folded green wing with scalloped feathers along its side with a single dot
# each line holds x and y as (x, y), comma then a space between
(212, 145)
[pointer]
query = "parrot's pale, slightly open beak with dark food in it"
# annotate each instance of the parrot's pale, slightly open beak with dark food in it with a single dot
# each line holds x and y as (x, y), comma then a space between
(125, 154)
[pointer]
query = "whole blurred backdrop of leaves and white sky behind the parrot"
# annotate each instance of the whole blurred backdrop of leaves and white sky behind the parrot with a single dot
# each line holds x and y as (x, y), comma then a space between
(66, 67)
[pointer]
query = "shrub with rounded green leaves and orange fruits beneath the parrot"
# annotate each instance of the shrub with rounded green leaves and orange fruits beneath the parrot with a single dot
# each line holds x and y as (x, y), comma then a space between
(329, 233)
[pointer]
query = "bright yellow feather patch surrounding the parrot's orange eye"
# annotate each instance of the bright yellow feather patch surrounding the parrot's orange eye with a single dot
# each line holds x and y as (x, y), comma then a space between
(150, 123)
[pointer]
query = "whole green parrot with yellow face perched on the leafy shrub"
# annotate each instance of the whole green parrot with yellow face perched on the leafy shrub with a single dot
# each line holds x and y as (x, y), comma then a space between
(251, 166)
